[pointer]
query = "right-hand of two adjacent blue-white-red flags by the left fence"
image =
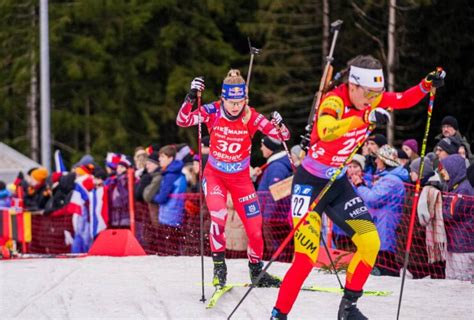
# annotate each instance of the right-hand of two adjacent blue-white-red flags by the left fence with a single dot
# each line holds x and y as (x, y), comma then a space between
(98, 210)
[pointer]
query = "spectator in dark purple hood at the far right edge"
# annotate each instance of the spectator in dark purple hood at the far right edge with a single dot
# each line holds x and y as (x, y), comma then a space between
(458, 213)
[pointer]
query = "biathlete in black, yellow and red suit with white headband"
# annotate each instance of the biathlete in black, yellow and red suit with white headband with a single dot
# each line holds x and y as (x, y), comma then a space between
(342, 121)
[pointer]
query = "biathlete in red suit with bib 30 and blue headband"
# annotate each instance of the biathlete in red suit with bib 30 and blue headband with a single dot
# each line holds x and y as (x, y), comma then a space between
(232, 124)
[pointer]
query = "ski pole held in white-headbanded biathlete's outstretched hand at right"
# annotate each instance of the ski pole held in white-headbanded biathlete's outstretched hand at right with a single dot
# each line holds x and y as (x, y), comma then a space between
(416, 197)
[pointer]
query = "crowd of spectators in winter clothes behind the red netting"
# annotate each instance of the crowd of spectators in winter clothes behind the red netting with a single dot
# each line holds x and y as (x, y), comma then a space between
(95, 193)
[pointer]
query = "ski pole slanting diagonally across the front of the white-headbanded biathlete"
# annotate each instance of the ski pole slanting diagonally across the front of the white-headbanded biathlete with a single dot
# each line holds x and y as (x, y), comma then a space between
(303, 219)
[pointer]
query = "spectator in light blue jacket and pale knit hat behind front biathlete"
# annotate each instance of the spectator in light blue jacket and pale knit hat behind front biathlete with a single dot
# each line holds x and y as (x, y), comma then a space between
(384, 200)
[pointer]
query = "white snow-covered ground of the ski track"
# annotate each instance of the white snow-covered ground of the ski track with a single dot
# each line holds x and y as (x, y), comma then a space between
(155, 287)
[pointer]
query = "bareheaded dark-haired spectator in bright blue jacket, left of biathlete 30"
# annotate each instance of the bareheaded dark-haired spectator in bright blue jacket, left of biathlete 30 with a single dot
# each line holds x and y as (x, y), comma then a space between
(173, 183)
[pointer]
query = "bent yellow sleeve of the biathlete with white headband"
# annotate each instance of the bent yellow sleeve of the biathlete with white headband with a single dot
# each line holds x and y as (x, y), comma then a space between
(330, 124)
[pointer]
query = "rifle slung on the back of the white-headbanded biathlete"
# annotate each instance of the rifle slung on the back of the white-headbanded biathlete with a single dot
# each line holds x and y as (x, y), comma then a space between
(327, 74)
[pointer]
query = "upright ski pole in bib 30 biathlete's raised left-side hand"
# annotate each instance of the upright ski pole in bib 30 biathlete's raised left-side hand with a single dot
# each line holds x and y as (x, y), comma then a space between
(201, 214)
